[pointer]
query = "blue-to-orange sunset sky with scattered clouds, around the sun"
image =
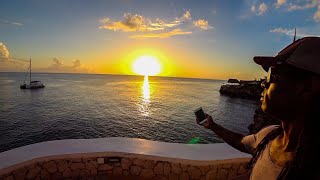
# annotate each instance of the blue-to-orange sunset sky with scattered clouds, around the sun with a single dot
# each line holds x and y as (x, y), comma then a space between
(192, 38)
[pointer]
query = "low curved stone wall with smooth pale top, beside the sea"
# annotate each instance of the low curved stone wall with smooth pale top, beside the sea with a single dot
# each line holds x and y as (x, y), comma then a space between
(136, 158)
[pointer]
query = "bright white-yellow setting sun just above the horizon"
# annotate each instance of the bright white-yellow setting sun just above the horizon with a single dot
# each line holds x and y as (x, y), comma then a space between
(147, 66)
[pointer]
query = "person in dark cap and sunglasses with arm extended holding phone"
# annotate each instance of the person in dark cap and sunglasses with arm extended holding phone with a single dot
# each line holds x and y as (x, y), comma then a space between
(292, 95)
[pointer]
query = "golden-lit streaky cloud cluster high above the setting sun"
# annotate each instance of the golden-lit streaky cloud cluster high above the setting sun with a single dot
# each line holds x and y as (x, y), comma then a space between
(144, 27)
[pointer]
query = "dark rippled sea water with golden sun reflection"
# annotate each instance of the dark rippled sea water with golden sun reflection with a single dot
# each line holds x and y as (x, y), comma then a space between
(74, 106)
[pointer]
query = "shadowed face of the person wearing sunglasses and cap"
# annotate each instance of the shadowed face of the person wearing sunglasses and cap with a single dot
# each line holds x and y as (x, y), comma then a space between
(279, 96)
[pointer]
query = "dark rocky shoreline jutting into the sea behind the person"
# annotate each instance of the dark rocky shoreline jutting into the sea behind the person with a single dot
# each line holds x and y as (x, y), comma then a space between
(249, 90)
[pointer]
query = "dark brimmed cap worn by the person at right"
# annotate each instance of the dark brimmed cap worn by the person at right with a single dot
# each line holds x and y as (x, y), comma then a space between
(303, 53)
